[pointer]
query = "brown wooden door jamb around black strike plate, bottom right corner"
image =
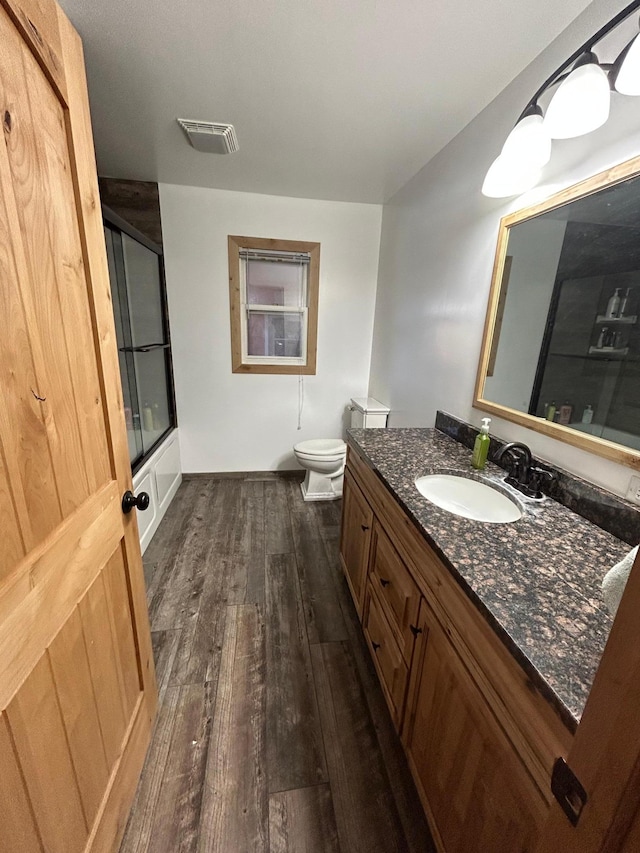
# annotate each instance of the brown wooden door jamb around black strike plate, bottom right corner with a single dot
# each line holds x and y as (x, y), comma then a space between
(605, 753)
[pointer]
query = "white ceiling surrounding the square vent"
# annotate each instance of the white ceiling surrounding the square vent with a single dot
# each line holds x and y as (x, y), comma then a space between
(331, 99)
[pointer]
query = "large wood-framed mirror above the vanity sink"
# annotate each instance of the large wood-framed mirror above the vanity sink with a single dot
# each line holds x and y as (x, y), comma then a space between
(561, 346)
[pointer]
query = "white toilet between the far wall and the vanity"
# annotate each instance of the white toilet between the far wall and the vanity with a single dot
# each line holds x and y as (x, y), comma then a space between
(324, 458)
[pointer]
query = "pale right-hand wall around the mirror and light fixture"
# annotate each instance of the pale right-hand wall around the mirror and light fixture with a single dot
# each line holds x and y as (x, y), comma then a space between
(438, 241)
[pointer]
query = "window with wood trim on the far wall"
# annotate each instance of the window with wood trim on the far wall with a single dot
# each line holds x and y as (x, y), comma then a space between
(273, 289)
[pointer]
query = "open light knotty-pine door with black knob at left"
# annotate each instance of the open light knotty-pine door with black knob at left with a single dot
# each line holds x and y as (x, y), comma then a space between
(77, 688)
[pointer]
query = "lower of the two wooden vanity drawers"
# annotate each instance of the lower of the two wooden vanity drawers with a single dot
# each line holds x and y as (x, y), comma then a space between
(392, 670)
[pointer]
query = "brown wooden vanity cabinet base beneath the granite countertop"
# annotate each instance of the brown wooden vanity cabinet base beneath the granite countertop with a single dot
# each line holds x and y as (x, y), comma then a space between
(479, 737)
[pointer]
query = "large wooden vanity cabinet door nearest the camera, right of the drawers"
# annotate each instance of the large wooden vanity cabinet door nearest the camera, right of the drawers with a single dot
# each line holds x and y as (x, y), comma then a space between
(476, 792)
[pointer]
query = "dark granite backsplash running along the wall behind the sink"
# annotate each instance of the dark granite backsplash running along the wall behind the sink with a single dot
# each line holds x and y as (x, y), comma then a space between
(602, 508)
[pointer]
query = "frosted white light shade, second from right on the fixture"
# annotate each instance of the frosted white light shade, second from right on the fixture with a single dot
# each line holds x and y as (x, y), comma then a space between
(580, 104)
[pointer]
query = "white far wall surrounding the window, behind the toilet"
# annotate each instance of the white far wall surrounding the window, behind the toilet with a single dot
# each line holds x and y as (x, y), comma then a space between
(232, 422)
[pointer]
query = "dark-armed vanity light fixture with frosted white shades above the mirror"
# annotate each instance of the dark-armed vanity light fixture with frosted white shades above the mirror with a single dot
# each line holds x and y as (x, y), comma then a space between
(579, 105)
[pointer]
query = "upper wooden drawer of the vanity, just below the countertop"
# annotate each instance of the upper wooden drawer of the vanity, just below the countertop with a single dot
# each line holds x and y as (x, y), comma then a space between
(396, 590)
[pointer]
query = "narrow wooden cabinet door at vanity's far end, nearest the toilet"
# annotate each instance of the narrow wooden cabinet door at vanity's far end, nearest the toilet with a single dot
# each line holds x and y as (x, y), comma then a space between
(355, 538)
